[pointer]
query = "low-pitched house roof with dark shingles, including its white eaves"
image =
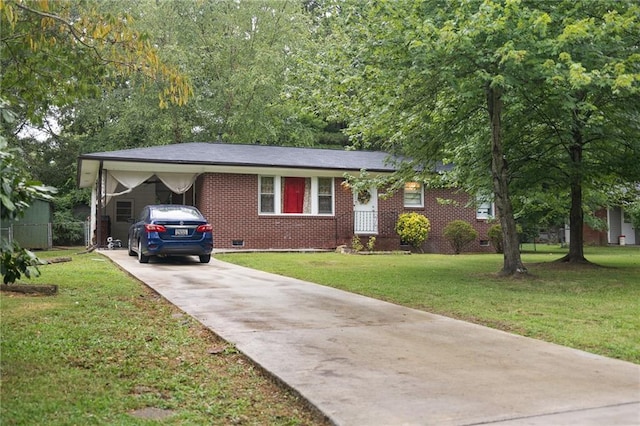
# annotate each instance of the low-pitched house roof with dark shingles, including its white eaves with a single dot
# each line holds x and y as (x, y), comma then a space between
(202, 157)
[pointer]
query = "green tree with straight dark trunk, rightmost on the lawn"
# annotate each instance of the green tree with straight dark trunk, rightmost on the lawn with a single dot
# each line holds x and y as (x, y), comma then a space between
(584, 104)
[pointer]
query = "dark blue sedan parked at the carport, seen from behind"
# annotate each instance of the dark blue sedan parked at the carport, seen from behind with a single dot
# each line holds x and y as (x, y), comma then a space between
(170, 229)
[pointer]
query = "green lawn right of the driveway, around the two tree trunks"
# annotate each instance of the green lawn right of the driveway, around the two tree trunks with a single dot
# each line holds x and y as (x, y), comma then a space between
(595, 307)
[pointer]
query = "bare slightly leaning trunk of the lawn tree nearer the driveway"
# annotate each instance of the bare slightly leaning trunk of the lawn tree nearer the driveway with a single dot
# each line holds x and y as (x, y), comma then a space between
(500, 176)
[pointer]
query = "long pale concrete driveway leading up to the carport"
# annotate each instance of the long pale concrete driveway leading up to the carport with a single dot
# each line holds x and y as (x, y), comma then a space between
(361, 361)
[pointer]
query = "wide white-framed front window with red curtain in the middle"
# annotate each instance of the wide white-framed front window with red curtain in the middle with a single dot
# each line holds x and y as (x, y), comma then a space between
(295, 195)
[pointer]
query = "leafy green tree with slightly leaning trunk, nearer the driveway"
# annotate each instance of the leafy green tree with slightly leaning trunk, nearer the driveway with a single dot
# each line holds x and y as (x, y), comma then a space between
(427, 80)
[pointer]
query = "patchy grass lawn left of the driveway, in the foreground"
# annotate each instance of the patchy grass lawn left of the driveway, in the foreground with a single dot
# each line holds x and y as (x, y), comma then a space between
(106, 346)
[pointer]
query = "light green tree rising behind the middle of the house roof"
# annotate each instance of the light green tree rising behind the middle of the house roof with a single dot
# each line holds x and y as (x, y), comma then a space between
(239, 56)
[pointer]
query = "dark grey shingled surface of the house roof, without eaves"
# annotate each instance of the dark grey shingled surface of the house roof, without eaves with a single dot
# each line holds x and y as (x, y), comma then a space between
(252, 155)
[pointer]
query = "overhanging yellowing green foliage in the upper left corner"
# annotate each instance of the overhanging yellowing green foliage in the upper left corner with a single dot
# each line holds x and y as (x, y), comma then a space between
(55, 52)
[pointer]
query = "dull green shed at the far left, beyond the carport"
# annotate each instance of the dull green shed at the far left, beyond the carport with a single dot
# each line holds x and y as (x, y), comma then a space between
(33, 230)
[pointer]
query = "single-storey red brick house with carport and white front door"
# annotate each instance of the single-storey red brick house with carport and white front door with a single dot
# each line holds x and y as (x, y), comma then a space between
(269, 197)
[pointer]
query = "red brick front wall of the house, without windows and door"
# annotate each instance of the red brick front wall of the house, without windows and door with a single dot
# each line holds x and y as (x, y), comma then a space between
(230, 203)
